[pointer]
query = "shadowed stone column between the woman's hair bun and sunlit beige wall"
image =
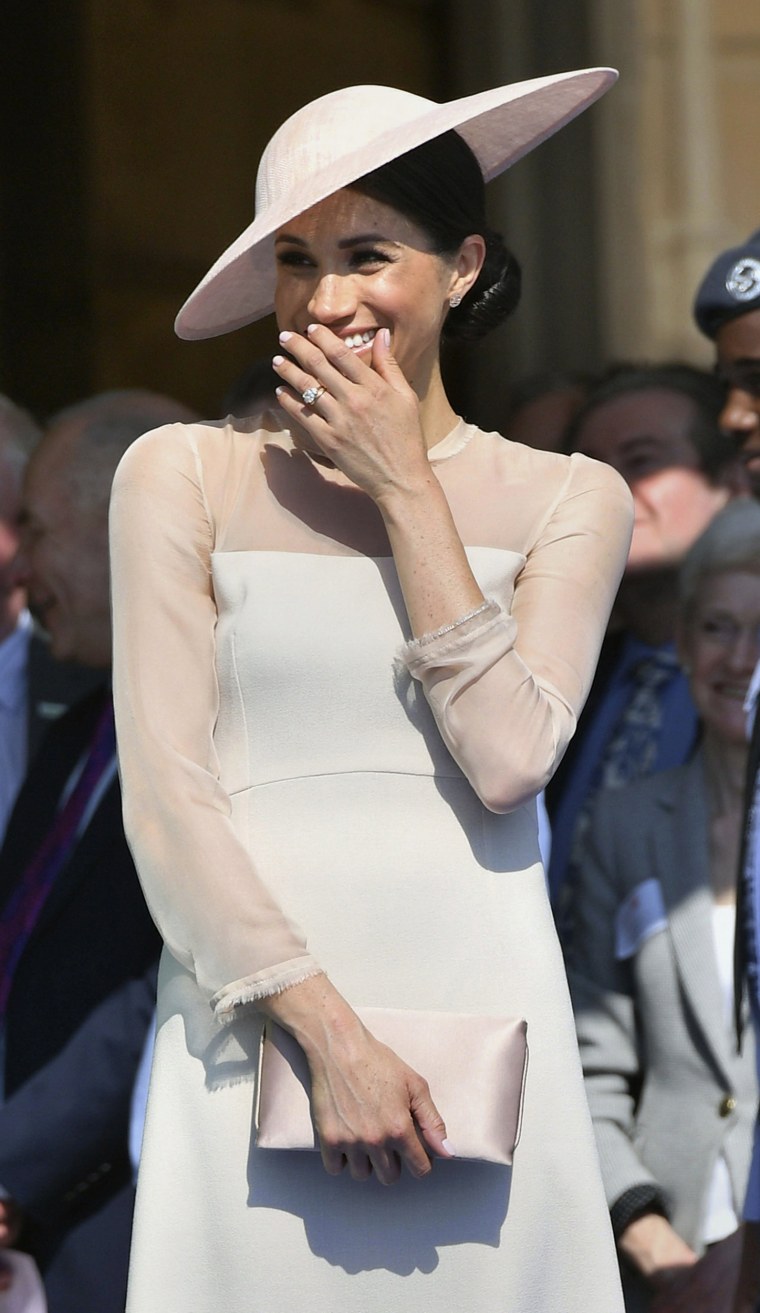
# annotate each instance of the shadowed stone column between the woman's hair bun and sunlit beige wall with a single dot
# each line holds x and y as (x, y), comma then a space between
(547, 205)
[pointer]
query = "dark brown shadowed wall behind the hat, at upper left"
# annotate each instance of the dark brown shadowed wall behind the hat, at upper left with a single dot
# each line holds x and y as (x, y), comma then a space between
(182, 99)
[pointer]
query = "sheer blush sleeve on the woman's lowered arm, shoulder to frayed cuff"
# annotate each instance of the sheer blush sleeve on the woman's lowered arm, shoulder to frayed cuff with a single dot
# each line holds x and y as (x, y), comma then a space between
(212, 908)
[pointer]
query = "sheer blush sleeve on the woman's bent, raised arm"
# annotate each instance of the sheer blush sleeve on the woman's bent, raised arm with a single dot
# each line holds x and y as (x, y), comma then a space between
(507, 689)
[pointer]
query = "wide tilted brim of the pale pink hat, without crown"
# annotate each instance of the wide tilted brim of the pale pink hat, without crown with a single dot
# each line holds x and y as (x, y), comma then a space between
(501, 127)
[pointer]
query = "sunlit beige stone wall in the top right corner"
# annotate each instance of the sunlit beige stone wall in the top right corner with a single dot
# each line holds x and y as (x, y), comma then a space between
(679, 169)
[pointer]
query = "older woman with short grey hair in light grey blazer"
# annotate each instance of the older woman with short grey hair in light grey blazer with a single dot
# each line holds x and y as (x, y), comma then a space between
(652, 962)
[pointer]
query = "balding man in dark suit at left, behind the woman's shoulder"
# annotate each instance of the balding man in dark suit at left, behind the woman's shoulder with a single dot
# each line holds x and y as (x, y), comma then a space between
(74, 926)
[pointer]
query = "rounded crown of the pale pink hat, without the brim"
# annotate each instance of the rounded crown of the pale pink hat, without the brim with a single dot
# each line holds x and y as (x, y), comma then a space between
(329, 131)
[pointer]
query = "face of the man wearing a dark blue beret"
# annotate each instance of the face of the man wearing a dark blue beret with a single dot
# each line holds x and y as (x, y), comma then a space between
(738, 343)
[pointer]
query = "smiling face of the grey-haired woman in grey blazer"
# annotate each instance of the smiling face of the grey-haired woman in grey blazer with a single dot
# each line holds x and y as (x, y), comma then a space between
(720, 644)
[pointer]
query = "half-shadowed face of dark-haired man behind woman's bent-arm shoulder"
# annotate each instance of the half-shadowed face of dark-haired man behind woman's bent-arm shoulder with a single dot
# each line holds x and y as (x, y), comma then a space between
(645, 435)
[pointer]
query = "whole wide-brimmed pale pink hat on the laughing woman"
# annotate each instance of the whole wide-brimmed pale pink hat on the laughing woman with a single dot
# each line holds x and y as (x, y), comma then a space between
(346, 135)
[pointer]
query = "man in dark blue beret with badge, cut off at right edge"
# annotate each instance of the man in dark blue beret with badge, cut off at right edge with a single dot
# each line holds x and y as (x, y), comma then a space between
(728, 311)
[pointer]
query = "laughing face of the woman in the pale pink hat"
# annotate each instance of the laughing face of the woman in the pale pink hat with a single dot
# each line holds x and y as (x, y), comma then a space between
(355, 266)
